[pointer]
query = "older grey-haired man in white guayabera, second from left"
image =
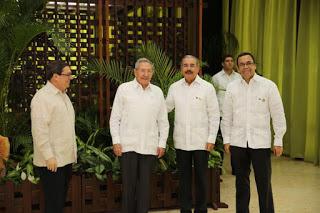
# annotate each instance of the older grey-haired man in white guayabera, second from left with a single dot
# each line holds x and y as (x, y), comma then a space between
(139, 128)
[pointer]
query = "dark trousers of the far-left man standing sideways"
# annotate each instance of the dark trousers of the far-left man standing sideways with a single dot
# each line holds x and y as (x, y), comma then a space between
(55, 187)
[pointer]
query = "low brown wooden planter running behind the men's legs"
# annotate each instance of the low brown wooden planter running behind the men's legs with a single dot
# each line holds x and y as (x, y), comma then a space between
(89, 195)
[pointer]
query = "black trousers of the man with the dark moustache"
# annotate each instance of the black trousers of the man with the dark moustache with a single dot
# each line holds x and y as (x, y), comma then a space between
(184, 163)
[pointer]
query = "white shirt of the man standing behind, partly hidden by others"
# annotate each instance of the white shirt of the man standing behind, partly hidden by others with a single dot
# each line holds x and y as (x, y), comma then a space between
(220, 82)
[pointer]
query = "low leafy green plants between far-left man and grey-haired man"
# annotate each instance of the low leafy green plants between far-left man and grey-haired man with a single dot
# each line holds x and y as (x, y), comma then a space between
(95, 155)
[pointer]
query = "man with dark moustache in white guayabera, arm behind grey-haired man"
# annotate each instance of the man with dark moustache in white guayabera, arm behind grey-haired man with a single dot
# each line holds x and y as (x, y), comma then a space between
(195, 129)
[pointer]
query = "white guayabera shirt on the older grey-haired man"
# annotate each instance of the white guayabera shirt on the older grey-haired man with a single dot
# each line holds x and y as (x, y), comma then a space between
(139, 118)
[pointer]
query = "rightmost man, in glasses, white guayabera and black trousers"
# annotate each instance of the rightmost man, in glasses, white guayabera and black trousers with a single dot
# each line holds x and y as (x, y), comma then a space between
(249, 104)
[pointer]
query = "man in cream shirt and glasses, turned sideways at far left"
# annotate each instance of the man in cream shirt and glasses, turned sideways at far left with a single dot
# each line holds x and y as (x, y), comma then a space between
(53, 132)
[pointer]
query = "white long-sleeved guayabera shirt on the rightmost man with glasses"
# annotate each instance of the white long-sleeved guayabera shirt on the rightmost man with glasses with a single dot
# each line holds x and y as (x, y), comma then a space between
(247, 111)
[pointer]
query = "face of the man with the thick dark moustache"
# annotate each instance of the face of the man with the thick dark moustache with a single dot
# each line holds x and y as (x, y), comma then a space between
(189, 69)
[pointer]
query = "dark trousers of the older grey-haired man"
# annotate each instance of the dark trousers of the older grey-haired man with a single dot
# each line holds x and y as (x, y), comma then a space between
(136, 172)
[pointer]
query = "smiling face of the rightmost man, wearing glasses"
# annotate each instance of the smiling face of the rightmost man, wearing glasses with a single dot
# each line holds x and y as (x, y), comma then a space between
(247, 67)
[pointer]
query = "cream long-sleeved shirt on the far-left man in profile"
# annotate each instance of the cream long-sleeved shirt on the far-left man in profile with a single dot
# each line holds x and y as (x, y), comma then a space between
(53, 127)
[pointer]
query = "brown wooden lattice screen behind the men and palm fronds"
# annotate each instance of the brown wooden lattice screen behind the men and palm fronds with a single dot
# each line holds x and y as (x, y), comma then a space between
(107, 29)
